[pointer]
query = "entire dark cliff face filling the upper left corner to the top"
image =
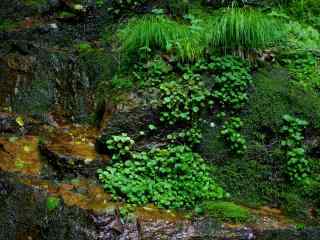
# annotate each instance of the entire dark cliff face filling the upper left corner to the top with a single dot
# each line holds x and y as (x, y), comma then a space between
(40, 68)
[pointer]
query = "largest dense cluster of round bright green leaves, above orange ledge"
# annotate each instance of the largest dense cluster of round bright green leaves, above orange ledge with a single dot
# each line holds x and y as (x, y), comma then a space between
(171, 177)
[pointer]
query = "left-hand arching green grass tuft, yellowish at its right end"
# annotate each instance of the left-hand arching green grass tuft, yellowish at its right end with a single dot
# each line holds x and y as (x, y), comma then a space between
(151, 33)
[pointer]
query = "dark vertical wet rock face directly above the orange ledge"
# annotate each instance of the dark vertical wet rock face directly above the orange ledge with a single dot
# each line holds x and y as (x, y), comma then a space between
(37, 81)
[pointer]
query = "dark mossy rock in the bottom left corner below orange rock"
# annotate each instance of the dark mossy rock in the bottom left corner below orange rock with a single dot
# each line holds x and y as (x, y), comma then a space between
(24, 215)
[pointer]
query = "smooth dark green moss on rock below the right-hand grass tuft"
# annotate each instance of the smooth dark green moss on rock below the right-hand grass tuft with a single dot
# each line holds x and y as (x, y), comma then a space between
(275, 96)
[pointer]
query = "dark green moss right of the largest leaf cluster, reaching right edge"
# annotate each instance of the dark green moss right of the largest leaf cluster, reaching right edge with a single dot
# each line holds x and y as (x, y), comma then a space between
(256, 185)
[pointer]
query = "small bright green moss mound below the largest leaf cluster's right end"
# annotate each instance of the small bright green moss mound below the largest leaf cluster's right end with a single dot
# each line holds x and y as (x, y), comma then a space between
(227, 211)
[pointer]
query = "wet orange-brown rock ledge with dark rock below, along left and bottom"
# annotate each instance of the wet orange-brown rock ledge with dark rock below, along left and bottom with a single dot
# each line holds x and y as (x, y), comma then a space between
(86, 211)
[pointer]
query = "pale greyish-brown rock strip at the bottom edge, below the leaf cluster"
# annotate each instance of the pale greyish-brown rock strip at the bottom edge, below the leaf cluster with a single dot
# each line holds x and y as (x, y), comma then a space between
(163, 228)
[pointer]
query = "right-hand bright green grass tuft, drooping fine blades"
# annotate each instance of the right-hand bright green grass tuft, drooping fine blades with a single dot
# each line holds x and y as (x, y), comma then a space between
(242, 29)
